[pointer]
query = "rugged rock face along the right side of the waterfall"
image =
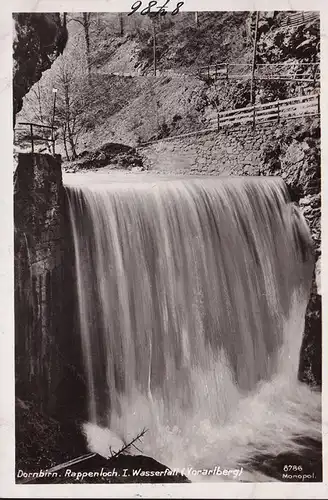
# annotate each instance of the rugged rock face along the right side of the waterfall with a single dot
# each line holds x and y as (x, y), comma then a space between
(294, 154)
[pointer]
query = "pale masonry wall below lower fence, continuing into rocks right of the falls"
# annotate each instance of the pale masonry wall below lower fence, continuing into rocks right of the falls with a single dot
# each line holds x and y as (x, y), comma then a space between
(290, 150)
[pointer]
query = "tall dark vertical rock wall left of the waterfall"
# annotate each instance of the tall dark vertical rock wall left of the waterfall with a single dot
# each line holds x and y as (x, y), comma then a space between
(47, 348)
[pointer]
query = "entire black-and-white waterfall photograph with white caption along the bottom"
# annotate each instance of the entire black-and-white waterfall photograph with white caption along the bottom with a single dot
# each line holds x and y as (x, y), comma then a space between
(167, 246)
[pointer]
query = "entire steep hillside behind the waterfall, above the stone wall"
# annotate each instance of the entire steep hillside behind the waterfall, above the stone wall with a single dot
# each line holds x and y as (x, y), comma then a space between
(121, 101)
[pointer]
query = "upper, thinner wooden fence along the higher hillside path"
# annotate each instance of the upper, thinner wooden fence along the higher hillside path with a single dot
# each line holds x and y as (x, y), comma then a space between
(306, 72)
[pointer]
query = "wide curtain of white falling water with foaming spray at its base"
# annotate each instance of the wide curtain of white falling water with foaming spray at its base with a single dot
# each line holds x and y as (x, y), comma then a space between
(192, 295)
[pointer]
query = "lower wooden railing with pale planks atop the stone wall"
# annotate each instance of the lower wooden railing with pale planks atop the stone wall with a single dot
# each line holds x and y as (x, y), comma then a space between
(272, 111)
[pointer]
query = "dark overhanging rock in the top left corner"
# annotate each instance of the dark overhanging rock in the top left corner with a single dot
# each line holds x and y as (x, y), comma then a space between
(38, 40)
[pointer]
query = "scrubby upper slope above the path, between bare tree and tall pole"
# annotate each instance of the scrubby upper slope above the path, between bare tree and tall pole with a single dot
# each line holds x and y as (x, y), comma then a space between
(182, 43)
